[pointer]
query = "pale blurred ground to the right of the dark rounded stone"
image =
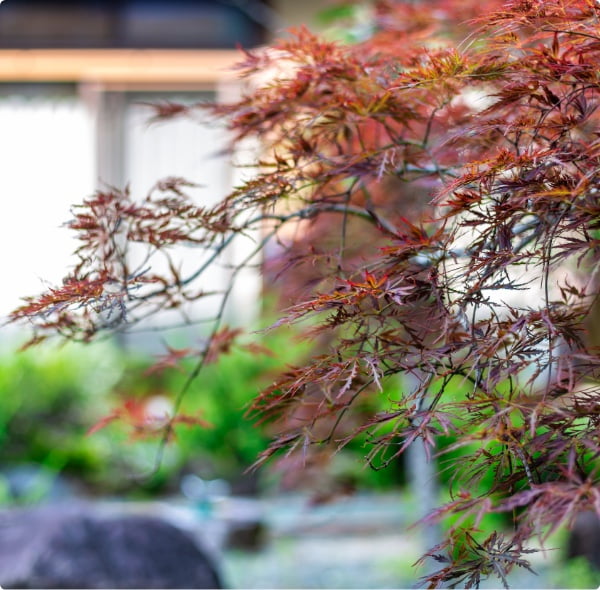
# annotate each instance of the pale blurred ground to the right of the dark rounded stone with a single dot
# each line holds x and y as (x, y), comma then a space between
(364, 541)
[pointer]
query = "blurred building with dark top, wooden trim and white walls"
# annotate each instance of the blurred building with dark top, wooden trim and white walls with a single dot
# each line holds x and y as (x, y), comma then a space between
(75, 80)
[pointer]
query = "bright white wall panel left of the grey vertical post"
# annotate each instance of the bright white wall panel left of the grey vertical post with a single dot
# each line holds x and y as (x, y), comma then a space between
(46, 165)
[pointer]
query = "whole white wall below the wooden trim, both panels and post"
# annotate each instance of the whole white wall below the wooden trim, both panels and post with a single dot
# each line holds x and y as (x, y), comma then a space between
(55, 150)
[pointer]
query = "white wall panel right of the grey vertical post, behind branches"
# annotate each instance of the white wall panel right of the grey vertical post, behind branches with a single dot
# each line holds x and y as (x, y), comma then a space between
(196, 152)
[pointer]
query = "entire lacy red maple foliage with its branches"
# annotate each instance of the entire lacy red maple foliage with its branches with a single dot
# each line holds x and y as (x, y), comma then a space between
(431, 197)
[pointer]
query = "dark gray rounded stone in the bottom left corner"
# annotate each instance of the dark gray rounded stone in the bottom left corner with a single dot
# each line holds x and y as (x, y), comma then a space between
(55, 547)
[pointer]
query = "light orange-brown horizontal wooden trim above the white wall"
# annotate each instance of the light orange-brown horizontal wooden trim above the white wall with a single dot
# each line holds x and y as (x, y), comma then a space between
(124, 66)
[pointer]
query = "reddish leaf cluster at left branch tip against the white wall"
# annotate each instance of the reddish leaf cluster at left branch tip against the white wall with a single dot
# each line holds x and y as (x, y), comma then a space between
(113, 283)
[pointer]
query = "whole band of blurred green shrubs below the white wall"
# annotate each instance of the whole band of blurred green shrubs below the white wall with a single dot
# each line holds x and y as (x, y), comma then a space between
(52, 397)
